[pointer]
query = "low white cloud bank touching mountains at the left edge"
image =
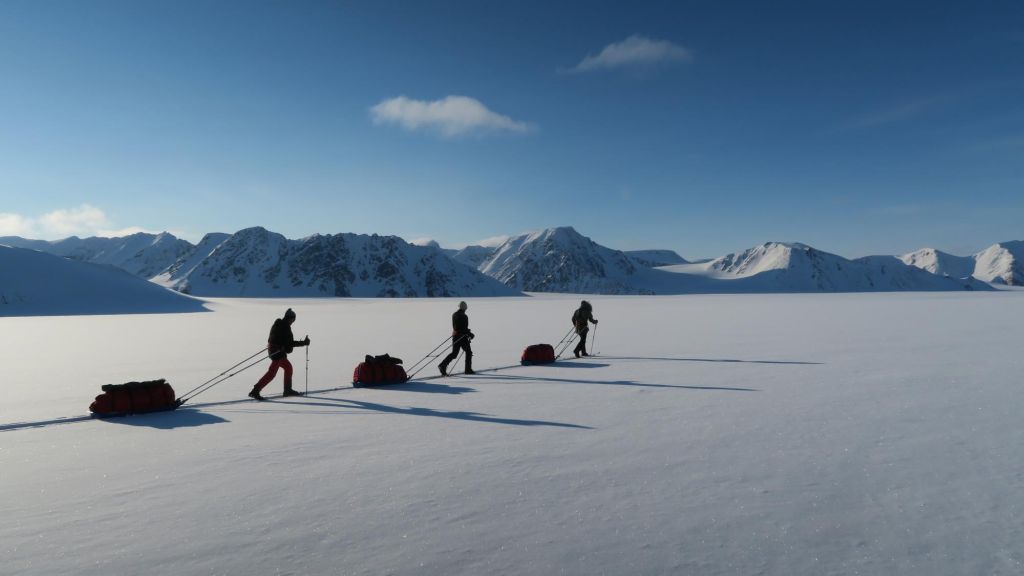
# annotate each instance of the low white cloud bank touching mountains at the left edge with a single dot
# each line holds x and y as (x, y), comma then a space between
(84, 221)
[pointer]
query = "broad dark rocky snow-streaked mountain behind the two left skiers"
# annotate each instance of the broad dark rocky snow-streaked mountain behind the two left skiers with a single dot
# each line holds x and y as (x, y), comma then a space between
(257, 263)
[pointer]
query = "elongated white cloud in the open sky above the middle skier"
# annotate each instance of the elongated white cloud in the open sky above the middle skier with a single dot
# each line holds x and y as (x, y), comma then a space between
(451, 116)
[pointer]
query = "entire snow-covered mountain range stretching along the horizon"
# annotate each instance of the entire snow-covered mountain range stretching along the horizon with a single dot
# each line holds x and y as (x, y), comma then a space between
(257, 263)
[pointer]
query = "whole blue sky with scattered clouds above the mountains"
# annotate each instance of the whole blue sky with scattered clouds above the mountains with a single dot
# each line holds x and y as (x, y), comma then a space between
(705, 128)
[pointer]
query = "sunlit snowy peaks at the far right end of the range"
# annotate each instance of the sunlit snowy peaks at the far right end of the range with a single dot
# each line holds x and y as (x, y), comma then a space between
(1000, 264)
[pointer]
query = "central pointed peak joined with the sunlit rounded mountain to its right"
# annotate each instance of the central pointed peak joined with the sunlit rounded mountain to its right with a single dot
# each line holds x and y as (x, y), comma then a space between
(564, 261)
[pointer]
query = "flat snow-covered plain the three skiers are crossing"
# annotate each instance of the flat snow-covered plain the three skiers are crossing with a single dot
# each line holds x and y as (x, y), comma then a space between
(774, 435)
